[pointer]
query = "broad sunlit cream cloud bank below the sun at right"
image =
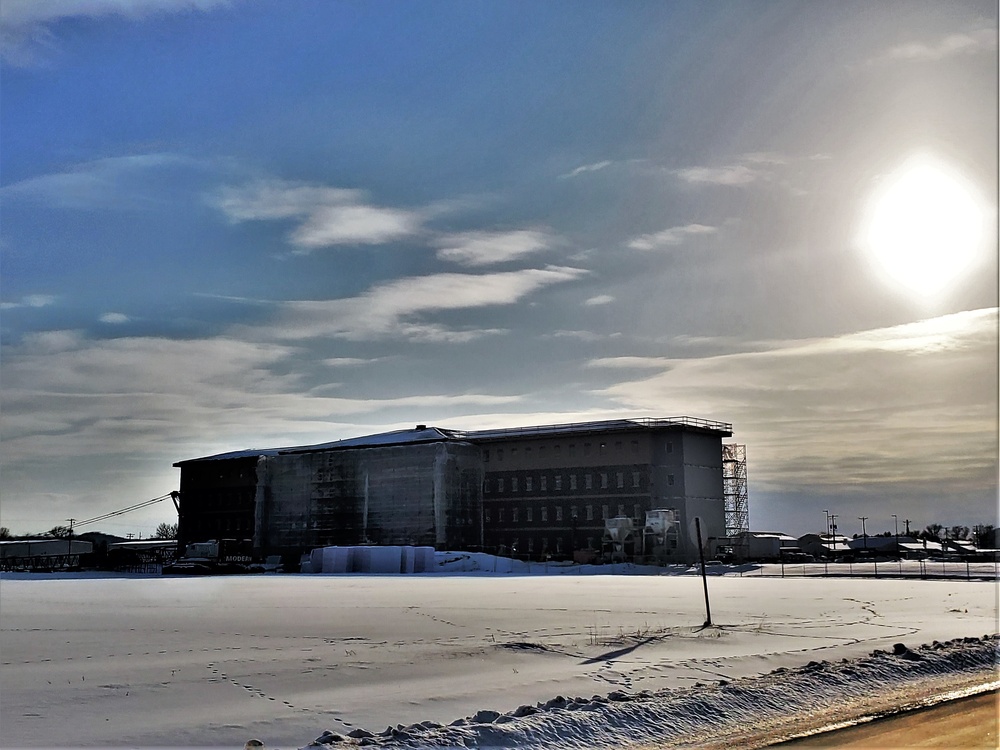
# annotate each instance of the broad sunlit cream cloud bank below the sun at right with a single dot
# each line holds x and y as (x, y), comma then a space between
(903, 405)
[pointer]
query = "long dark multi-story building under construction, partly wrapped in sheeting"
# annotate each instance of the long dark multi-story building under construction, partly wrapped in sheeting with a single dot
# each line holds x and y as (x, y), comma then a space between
(617, 489)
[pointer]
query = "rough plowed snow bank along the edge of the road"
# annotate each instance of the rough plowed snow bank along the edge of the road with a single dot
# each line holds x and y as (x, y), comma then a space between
(749, 712)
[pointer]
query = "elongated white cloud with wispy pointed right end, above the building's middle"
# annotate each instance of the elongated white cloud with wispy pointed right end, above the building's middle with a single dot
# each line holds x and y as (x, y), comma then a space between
(399, 309)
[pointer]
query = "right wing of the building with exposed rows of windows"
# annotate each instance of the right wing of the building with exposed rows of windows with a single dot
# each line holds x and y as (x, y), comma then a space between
(551, 490)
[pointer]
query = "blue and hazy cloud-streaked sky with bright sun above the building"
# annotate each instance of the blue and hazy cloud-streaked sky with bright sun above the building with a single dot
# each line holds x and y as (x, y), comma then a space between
(234, 224)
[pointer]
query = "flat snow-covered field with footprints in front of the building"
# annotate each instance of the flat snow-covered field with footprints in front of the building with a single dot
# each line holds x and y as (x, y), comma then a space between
(211, 662)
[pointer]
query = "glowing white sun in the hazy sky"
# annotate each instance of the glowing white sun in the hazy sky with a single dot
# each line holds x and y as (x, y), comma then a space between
(925, 227)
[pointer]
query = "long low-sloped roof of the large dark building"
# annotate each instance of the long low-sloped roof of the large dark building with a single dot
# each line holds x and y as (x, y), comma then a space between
(424, 434)
